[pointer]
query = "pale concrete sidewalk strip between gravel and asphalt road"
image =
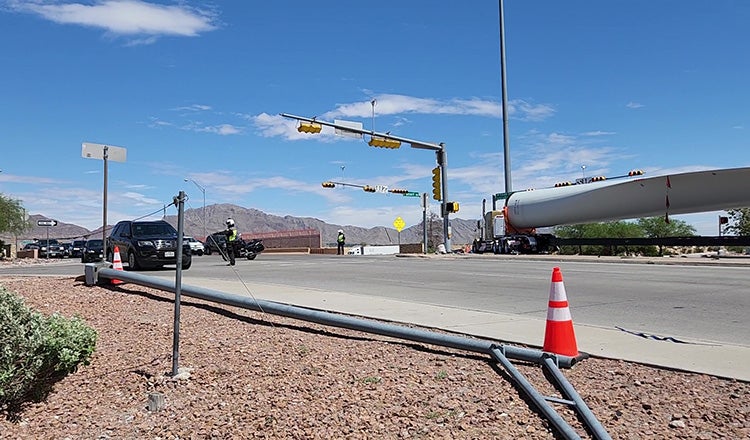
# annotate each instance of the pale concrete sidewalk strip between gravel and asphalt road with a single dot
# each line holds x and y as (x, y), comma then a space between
(718, 360)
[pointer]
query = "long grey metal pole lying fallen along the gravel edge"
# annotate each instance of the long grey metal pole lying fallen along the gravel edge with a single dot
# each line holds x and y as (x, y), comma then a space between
(342, 321)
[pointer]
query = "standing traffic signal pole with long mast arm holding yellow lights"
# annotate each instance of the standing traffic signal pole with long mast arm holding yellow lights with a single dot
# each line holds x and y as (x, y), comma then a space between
(439, 150)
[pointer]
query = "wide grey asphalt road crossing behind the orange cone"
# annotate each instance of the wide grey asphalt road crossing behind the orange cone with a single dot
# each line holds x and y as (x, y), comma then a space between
(697, 303)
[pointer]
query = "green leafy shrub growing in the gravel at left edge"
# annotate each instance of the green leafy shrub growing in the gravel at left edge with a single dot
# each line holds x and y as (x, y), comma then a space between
(36, 352)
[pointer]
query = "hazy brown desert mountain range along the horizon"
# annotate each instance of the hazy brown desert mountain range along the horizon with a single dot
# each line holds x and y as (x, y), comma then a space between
(251, 221)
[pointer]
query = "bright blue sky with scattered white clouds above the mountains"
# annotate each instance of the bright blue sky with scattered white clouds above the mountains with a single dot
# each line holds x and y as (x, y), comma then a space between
(193, 89)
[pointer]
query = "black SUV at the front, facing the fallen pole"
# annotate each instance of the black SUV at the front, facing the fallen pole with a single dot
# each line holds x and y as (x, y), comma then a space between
(147, 244)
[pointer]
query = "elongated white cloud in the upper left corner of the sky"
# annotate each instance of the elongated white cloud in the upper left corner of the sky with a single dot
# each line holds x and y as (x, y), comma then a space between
(125, 17)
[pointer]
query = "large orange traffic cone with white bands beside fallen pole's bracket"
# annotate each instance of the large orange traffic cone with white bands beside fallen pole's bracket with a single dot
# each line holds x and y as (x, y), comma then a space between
(559, 337)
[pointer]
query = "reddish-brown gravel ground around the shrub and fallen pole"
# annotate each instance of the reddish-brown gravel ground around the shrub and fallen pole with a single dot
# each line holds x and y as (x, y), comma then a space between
(252, 375)
